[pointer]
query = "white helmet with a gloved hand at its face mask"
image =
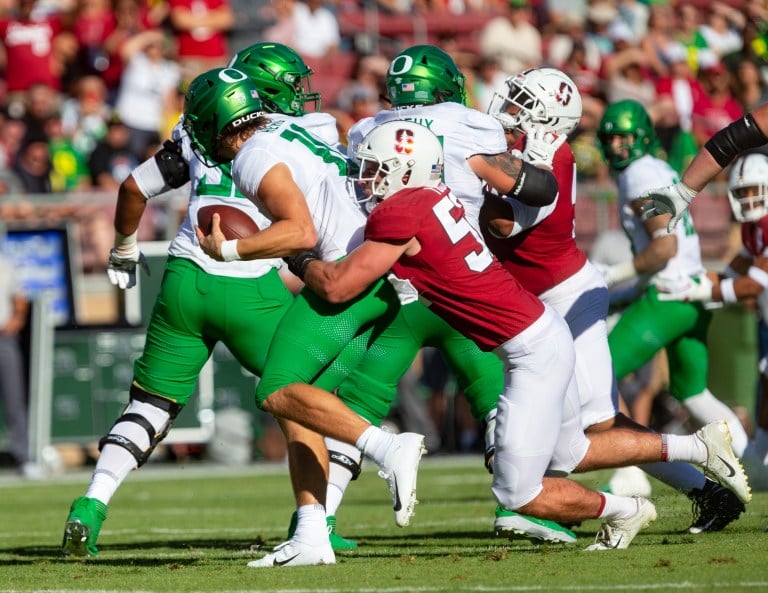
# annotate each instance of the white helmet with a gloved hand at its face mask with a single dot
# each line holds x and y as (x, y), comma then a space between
(538, 97)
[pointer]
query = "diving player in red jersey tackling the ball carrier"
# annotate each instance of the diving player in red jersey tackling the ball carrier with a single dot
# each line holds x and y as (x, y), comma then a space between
(420, 234)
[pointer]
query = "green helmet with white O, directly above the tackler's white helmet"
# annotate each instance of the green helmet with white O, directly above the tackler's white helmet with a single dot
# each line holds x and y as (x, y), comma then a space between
(424, 75)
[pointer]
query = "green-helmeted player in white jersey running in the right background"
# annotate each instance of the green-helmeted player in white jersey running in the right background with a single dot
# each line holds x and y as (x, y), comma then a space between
(663, 260)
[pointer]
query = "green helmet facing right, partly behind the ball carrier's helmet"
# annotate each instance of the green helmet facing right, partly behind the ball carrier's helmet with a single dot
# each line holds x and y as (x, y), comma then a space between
(281, 76)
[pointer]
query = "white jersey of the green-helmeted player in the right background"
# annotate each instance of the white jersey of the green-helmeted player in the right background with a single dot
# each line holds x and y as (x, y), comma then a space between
(644, 174)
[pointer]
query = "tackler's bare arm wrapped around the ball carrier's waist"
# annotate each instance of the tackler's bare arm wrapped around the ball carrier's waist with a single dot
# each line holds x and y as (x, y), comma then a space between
(343, 280)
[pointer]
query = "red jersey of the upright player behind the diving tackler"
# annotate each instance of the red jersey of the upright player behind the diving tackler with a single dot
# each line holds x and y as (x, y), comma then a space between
(544, 255)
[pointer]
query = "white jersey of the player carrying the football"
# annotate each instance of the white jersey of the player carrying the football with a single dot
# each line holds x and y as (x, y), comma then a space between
(319, 170)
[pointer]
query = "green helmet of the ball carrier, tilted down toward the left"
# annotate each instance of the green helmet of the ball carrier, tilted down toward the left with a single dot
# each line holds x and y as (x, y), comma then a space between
(214, 100)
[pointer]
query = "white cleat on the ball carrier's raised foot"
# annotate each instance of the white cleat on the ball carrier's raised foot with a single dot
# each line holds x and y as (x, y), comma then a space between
(400, 469)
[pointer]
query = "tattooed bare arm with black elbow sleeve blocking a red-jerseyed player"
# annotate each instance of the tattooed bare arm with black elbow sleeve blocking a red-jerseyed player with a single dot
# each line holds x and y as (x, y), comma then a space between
(515, 178)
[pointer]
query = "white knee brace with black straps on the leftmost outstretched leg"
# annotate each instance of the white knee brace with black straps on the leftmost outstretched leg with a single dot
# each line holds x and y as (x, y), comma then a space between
(133, 413)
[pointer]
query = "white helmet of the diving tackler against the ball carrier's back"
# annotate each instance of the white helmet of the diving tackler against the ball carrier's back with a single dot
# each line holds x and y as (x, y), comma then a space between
(399, 154)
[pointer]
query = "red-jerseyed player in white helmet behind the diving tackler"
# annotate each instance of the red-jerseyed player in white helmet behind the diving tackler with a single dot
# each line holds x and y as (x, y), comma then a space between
(538, 247)
